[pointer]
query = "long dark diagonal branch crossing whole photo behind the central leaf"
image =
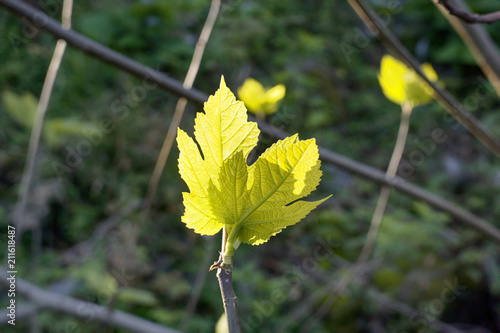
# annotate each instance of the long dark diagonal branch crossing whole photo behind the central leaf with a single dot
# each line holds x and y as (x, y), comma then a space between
(165, 82)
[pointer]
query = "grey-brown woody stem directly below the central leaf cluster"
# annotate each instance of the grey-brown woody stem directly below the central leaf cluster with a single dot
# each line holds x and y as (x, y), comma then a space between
(225, 277)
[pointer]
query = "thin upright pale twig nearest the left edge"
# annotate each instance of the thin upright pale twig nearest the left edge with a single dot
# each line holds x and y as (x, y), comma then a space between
(41, 110)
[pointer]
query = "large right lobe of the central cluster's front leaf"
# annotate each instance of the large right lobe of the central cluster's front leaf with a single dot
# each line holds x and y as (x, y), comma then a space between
(287, 171)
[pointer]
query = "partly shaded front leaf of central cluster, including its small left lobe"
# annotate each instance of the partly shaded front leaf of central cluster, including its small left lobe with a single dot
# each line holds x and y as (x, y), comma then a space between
(258, 201)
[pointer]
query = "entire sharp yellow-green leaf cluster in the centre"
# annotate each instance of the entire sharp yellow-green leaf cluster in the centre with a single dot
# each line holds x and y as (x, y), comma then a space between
(253, 202)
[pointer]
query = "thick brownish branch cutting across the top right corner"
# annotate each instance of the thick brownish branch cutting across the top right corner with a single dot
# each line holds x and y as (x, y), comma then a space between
(479, 42)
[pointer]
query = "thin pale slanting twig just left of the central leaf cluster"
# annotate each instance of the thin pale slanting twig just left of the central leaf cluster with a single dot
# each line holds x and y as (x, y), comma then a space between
(181, 106)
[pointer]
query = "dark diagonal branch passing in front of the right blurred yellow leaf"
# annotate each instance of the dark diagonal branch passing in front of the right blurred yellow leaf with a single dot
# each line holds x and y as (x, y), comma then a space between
(375, 22)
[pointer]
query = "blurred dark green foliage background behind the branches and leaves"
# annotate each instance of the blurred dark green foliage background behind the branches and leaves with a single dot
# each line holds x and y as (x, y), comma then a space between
(104, 130)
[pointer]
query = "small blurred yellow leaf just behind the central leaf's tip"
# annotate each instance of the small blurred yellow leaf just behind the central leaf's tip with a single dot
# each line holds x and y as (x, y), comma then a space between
(258, 99)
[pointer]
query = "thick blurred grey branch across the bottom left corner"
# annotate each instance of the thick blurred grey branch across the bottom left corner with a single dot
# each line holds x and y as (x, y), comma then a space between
(84, 310)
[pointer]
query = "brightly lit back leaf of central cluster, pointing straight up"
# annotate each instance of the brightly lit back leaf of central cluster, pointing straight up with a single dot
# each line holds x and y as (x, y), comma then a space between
(221, 131)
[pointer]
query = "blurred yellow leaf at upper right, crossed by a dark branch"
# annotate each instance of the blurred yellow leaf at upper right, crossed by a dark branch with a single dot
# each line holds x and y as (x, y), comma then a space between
(401, 84)
